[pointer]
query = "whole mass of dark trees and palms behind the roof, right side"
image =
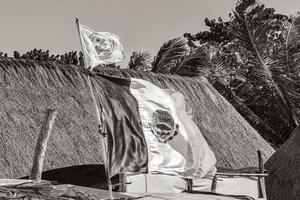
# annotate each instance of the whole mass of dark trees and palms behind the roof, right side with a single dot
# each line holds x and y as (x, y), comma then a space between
(250, 60)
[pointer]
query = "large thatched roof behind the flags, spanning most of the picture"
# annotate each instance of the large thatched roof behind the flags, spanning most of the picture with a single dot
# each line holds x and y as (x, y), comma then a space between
(28, 88)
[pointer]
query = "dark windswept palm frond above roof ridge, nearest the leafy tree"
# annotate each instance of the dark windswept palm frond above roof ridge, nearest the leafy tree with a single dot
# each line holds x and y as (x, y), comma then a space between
(169, 55)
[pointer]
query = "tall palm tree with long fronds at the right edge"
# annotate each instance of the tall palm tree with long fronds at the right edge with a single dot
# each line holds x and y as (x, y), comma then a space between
(274, 79)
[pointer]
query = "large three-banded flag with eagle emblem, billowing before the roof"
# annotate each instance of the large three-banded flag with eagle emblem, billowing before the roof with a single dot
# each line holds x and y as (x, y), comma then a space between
(149, 130)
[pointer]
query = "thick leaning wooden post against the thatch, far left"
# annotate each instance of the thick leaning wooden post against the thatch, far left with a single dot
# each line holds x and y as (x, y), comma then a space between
(41, 145)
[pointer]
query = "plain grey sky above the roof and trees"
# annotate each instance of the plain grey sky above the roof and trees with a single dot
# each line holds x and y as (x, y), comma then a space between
(141, 24)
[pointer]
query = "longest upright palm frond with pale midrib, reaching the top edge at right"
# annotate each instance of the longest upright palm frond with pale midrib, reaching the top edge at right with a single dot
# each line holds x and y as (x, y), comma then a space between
(251, 34)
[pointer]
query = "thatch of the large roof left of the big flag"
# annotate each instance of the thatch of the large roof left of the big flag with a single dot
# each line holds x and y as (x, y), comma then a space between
(27, 89)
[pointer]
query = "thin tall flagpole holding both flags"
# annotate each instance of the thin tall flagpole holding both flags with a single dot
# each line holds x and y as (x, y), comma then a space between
(99, 119)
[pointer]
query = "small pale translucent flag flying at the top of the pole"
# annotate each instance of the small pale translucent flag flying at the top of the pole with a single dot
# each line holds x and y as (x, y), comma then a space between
(100, 47)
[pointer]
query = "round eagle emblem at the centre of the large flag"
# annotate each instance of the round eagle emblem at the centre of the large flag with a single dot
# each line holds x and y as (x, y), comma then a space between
(163, 126)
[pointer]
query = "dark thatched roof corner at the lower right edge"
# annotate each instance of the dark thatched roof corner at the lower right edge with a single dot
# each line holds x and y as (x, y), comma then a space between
(283, 167)
